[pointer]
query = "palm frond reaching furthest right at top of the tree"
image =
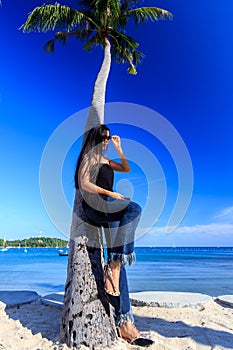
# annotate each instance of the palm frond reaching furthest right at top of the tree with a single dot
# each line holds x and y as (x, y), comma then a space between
(143, 14)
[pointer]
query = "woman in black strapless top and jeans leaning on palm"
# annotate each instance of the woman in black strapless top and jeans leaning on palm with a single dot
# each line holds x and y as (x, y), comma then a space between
(94, 177)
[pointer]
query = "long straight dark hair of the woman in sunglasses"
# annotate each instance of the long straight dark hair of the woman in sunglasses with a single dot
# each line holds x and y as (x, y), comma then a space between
(91, 147)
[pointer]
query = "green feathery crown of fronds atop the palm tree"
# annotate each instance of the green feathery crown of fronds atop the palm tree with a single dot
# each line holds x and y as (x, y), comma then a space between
(94, 22)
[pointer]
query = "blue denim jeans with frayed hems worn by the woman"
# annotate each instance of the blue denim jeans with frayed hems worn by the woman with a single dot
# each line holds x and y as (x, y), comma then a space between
(119, 227)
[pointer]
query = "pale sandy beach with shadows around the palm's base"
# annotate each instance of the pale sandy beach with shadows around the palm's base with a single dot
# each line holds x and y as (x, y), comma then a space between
(35, 326)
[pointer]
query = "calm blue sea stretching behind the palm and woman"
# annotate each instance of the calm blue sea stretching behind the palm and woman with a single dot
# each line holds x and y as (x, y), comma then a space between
(203, 270)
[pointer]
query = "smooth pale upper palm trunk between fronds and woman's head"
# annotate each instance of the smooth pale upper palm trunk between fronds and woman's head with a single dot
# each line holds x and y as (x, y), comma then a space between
(96, 111)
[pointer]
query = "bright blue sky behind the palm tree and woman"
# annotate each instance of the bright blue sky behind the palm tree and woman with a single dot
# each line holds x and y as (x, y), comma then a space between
(186, 76)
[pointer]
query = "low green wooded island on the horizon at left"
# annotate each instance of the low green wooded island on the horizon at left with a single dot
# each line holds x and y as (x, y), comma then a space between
(34, 242)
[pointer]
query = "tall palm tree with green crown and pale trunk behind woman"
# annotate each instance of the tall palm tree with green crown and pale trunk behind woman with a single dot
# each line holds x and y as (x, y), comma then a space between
(85, 319)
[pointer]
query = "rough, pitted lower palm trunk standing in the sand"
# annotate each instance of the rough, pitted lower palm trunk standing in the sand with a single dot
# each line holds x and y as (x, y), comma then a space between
(86, 315)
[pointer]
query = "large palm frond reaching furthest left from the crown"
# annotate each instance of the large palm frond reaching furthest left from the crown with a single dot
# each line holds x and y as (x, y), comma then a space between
(54, 17)
